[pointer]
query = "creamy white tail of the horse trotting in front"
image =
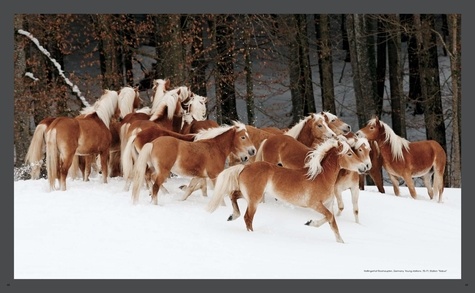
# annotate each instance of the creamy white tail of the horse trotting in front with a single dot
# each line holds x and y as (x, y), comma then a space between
(226, 183)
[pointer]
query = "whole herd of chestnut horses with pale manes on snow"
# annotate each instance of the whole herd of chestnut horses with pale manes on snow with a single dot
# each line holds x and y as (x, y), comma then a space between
(308, 165)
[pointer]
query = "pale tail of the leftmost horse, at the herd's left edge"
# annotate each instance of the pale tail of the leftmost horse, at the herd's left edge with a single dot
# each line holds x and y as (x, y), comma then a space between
(34, 155)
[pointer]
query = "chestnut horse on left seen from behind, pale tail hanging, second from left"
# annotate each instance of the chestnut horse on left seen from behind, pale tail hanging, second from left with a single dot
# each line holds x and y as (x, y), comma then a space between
(87, 135)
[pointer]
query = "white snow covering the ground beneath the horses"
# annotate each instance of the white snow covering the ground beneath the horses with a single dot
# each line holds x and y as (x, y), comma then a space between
(93, 231)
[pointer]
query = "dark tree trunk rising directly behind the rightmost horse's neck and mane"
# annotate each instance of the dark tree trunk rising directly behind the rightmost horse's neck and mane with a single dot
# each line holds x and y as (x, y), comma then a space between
(398, 109)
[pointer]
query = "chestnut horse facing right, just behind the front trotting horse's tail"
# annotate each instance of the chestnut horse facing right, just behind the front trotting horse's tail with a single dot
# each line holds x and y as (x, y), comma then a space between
(205, 157)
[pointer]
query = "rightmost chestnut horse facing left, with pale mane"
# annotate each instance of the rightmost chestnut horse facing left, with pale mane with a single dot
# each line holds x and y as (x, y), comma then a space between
(404, 159)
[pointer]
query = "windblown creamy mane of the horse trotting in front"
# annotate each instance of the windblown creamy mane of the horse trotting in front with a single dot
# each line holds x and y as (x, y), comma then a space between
(315, 157)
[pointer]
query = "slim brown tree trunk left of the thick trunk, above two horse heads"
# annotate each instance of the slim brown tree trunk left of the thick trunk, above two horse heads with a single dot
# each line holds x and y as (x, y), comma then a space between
(325, 62)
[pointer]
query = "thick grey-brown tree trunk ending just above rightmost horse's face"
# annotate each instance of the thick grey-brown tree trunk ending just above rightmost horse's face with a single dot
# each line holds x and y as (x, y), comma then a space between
(363, 78)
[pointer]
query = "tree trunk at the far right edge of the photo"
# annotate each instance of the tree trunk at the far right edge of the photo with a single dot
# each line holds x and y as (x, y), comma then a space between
(455, 36)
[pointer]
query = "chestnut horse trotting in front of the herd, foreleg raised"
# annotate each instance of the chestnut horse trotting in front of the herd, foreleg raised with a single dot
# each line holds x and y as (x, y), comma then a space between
(310, 187)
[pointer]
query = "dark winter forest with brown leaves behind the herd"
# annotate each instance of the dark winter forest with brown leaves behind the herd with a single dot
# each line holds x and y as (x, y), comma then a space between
(240, 59)
